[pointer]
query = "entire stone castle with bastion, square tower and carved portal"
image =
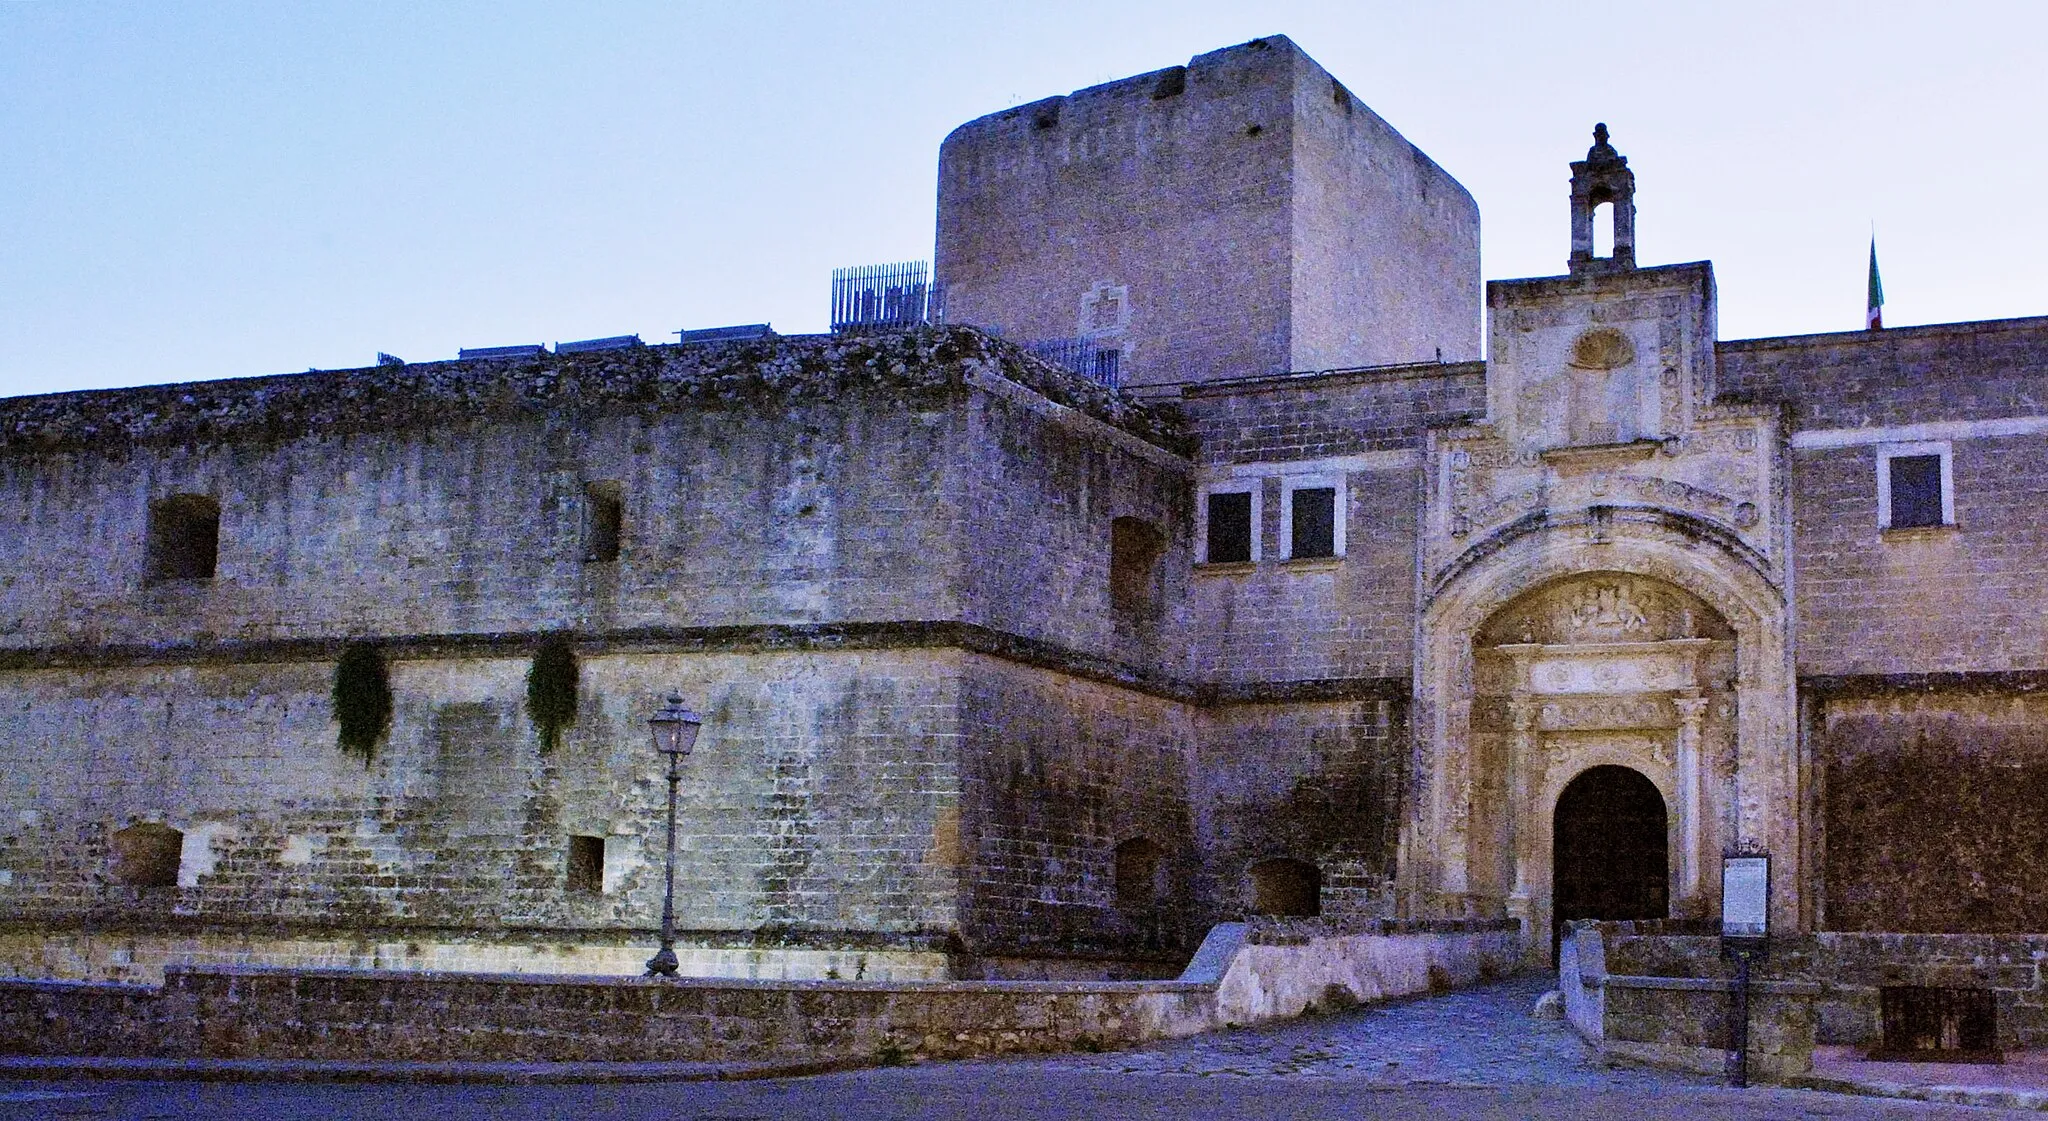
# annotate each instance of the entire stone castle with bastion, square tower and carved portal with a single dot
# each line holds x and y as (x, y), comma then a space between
(1009, 673)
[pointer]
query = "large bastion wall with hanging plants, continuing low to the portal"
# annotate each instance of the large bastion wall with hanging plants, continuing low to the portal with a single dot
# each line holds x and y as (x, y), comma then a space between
(880, 567)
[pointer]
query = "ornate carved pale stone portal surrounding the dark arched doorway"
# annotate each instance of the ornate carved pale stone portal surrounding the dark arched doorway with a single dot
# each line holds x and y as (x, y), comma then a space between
(1605, 583)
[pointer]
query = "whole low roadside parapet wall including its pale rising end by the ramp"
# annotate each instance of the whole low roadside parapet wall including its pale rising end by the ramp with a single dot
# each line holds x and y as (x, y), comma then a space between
(257, 1013)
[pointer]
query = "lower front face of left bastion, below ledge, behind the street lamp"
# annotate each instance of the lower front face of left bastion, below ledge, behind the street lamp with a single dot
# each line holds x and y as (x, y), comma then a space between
(814, 800)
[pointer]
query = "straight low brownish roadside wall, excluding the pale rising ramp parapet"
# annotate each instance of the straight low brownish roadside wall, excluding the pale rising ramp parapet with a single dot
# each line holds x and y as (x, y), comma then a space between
(404, 1018)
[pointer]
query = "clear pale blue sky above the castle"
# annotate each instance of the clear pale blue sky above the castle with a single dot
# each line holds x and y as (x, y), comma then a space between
(222, 190)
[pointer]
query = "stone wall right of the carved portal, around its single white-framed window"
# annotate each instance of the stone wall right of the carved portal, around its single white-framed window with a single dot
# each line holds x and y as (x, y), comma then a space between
(1924, 653)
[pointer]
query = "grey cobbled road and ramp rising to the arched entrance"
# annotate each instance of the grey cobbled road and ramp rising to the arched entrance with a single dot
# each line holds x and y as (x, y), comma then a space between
(1463, 1056)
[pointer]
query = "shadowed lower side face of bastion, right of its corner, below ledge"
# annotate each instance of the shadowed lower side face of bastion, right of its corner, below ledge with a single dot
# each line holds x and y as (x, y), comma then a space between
(1058, 774)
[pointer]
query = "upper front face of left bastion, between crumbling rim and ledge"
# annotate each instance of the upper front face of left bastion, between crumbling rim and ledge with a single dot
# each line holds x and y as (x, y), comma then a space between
(814, 513)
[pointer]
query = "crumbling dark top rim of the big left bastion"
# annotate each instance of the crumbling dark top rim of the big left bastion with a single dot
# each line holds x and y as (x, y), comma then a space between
(919, 364)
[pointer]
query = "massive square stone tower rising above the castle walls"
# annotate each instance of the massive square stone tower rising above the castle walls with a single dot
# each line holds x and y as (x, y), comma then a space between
(1230, 218)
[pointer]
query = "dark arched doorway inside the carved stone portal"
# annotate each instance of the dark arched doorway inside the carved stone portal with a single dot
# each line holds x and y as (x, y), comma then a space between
(1609, 854)
